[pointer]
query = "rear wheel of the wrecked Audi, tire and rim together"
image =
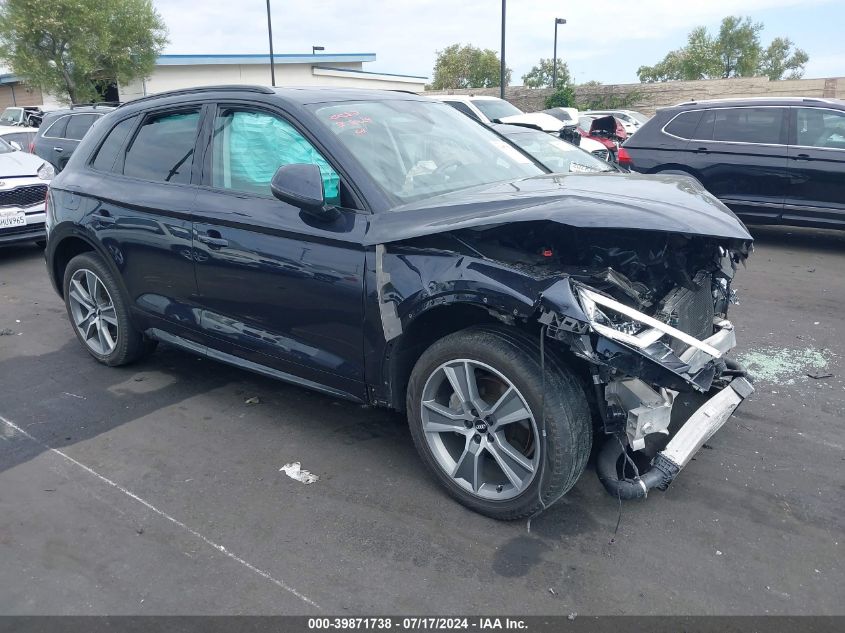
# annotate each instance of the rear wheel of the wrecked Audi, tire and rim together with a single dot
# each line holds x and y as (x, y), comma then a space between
(97, 307)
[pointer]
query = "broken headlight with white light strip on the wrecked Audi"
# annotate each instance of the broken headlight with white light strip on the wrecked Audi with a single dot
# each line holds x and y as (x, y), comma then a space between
(623, 323)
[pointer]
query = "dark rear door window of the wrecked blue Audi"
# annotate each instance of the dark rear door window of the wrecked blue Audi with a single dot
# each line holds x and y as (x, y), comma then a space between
(163, 148)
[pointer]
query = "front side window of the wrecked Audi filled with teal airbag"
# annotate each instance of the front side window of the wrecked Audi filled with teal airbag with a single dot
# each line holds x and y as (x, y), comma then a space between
(250, 146)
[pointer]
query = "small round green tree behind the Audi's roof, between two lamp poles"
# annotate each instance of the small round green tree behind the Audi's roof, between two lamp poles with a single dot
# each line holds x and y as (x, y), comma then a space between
(459, 66)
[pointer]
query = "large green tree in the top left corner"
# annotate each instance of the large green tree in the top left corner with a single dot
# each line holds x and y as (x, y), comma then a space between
(74, 48)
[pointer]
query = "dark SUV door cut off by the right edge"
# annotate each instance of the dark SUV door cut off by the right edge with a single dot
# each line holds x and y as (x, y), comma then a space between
(816, 166)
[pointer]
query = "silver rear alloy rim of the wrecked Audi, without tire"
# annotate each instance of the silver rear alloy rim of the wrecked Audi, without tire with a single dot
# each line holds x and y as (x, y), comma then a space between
(93, 311)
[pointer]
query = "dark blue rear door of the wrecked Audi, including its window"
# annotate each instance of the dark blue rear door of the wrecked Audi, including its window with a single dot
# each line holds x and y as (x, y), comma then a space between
(140, 183)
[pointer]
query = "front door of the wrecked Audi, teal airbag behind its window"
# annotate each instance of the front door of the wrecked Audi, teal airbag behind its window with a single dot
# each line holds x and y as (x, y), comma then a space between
(278, 288)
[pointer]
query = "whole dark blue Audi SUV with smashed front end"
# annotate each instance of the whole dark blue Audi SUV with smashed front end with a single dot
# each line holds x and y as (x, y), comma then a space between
(384, 248)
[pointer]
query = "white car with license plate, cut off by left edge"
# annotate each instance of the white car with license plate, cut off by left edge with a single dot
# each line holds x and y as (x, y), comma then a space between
(23, 188)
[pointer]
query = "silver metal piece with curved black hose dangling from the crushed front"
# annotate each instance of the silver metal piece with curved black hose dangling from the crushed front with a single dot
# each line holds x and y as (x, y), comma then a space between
(699, 428)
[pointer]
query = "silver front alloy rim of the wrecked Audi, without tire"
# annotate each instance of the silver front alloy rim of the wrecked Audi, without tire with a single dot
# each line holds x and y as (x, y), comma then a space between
(480, 429)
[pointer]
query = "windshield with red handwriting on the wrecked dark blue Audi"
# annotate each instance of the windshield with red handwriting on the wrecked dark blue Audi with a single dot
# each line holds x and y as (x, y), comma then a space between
(419, 149)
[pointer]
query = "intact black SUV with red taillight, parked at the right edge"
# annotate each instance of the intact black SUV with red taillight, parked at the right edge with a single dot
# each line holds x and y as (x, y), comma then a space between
(770, 160)
